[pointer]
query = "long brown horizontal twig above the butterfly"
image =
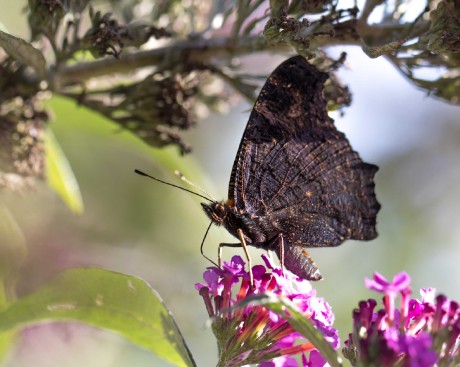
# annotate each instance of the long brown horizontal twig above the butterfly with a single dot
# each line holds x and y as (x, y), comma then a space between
(201, 50)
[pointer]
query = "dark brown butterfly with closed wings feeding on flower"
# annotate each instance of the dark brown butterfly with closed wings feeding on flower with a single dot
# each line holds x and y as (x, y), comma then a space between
(296, 182)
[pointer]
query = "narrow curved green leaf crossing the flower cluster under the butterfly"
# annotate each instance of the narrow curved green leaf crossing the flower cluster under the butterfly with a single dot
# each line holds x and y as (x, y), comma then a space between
(291, 313)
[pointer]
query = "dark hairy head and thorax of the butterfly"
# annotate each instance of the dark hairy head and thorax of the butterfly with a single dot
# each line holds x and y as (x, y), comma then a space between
(226, 214)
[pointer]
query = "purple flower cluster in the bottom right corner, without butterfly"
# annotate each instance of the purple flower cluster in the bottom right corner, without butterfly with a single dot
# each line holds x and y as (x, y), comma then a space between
(418, 333)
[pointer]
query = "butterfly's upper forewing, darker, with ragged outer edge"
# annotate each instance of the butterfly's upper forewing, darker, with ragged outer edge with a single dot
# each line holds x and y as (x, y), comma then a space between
(278, 113)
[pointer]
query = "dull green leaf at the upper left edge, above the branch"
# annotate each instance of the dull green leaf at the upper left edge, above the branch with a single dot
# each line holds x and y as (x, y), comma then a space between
(24, 52)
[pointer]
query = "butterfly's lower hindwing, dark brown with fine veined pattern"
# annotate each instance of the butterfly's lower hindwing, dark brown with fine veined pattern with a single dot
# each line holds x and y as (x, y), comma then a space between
(320, 192)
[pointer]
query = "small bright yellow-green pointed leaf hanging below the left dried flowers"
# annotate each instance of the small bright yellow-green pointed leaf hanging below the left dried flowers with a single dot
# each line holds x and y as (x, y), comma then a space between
(59, 174)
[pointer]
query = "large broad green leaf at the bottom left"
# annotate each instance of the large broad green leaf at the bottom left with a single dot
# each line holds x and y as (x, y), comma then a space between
(112, 301)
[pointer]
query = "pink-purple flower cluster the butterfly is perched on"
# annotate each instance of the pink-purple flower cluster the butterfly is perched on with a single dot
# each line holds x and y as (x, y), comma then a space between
(253, 334)
